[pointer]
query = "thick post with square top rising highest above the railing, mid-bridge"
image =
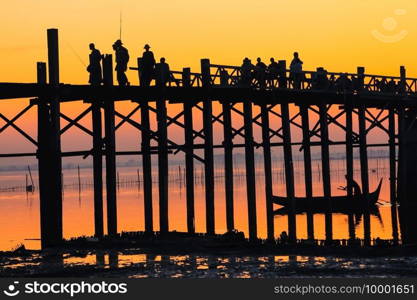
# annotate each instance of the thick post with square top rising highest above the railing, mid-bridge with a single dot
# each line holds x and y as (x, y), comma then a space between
(208, 149)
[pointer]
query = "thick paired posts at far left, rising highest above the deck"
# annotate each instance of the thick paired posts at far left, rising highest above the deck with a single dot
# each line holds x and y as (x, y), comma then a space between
(49, 151)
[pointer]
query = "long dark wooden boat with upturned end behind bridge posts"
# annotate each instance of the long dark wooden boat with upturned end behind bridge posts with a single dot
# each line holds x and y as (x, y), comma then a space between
(340, 204)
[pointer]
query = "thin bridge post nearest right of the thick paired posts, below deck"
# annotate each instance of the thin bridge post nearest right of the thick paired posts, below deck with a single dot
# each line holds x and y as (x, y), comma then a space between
(97, 168)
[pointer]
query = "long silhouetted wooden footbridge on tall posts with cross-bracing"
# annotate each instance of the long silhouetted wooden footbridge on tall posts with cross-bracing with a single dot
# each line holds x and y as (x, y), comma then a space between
(384, 102)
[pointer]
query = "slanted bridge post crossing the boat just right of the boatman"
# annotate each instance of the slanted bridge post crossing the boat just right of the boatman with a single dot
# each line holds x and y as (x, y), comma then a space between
(364, 173)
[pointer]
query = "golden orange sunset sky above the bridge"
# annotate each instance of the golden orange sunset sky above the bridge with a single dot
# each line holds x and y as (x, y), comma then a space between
(338, 35)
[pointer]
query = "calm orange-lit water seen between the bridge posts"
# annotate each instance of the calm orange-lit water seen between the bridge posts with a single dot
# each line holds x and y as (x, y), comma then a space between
(20, 210)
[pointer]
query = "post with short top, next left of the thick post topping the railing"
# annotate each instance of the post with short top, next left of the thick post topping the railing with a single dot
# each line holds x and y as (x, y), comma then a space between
(189, 160)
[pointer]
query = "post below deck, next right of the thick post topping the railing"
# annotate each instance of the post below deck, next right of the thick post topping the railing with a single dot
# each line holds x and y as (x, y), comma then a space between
(228, 164)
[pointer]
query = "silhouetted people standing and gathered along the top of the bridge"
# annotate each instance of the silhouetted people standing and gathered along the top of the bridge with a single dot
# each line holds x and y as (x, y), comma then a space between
(257, 75)
